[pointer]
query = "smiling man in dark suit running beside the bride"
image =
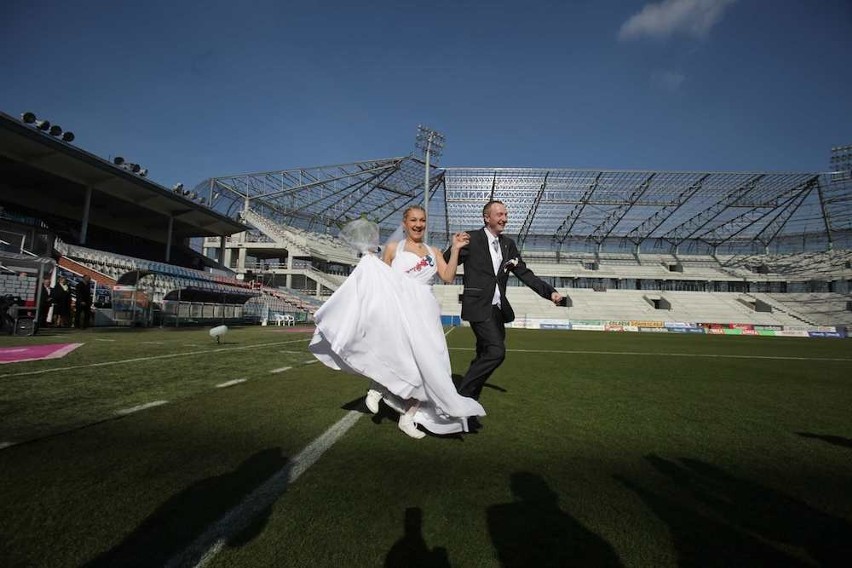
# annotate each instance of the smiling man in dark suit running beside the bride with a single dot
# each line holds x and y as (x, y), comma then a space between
(487, 261)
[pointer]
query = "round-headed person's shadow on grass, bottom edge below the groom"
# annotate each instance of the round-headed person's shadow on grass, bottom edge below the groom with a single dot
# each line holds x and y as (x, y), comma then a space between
(533, 530)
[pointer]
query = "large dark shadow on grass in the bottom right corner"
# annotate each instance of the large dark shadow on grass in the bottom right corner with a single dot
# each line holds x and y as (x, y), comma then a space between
(716, 519)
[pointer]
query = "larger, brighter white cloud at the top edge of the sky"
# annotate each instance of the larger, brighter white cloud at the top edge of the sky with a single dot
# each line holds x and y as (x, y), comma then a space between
(692, 18)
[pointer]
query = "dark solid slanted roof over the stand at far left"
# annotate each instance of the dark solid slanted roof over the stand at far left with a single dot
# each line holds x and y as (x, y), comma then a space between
(42, 174)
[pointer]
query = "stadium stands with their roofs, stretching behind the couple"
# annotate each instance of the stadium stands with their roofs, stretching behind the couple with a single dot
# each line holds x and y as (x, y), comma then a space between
(770, 249)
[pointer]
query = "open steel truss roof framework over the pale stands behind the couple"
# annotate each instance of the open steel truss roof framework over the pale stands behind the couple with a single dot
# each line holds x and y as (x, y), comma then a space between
(563, 209)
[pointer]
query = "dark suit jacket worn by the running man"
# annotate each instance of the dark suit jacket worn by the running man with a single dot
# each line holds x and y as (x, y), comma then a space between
(480, 280)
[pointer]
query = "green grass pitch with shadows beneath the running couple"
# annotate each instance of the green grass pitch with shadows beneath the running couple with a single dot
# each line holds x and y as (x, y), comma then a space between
(598, 450)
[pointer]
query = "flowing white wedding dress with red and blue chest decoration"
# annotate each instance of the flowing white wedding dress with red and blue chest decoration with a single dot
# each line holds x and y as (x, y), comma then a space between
(384, 323)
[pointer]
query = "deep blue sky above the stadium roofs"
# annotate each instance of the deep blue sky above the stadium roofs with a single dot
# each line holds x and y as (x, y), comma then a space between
(192, 90)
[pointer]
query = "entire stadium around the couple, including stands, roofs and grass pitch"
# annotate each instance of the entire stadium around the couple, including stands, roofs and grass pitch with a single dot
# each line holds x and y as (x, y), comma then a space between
(147, 443)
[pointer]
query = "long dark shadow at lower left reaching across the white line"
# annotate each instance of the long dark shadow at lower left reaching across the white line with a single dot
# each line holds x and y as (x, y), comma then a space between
(176, 524)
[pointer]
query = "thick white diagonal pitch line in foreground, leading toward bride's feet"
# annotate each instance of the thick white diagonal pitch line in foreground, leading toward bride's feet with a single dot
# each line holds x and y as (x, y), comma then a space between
(212, 540)
